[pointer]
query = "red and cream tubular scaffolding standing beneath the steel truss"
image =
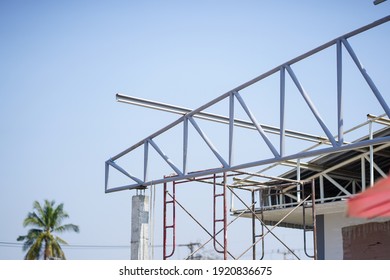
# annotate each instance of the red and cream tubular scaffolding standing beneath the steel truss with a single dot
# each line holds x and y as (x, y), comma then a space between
(255, 213)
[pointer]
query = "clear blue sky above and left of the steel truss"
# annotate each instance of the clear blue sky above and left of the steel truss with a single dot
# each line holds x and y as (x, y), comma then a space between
(62, 62)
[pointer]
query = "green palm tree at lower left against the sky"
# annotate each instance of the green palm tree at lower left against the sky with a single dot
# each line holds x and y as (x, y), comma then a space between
(45, 220)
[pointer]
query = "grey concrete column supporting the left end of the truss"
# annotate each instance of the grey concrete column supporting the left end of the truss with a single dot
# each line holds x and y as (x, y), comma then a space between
(140, 227)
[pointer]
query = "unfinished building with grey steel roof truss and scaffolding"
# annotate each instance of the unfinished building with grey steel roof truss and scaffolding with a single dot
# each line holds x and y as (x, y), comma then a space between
(271, 173)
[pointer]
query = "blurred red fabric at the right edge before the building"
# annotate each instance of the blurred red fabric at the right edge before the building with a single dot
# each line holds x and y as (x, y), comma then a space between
(373, 202)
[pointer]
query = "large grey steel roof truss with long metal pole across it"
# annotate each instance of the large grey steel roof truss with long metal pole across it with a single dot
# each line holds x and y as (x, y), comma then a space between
(333, 143)
